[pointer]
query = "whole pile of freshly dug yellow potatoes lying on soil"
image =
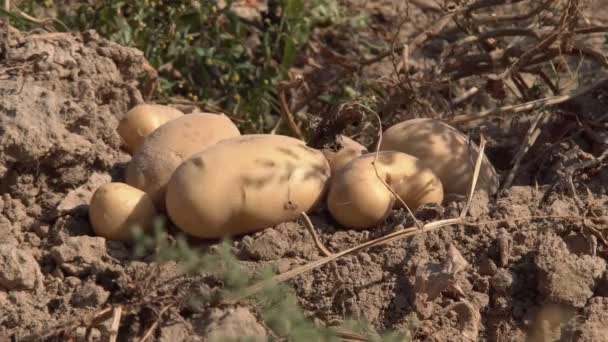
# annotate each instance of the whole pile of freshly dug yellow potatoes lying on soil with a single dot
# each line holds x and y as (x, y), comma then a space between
(213, 182)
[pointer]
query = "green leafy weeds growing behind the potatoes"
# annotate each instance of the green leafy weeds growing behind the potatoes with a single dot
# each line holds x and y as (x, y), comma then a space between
(206, 53)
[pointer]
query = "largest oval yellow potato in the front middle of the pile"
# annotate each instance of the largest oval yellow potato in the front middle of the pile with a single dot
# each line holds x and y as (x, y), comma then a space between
(246, 184)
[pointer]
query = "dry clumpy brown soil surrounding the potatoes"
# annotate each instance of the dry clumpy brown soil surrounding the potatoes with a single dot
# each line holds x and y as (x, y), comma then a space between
(497, 280)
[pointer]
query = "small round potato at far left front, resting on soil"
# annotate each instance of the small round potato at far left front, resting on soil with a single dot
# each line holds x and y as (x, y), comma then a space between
(116, 208)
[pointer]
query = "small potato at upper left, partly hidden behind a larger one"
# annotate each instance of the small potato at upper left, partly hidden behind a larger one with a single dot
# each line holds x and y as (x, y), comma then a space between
(142, 120)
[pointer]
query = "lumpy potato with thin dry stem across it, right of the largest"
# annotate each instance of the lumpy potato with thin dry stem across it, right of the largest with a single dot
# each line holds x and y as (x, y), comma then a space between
(359, 199)
